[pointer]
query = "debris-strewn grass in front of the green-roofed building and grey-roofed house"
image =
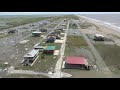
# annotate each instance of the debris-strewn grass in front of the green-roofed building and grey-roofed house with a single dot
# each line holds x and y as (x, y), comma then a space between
(42, 65)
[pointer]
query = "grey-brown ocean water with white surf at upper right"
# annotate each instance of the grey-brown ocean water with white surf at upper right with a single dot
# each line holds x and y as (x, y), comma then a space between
(112, 20)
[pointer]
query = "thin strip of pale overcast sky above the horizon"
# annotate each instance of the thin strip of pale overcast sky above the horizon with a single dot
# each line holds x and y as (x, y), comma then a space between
(47, 13)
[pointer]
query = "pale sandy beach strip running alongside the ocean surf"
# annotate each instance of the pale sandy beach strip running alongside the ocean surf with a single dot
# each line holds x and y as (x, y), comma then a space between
(104, 29)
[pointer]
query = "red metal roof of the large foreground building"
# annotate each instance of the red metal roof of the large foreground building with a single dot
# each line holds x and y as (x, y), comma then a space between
(76, 60)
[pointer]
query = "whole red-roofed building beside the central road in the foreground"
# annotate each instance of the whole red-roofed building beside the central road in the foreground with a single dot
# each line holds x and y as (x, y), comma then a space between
(76, 62)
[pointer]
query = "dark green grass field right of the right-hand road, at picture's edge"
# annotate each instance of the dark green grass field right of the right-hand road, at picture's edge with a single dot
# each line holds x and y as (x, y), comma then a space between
(109, 53)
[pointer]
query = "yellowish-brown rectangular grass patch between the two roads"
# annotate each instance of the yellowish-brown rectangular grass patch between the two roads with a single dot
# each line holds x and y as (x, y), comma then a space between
(76, 41)
